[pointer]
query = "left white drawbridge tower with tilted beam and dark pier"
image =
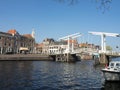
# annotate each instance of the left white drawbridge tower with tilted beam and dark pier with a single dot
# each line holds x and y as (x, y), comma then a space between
(68, 54)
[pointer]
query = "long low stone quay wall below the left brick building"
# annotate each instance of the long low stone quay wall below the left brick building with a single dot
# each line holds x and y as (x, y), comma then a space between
(26, 57)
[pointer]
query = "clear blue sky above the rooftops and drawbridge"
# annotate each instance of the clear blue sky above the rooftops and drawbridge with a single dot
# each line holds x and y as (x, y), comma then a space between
(52, 19)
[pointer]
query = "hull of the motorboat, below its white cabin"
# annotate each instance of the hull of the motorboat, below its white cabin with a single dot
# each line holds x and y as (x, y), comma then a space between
(111, 76)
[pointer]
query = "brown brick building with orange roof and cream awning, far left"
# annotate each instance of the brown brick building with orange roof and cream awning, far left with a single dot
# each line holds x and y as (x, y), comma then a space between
(13, 42)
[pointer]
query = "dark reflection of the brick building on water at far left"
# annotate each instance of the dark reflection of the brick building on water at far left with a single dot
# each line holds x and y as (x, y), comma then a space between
(13, 75)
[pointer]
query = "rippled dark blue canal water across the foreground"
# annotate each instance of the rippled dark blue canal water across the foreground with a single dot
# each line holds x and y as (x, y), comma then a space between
(50, 75)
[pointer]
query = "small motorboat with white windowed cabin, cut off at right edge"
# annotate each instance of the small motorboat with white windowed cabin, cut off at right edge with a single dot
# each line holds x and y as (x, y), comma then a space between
(112, 71)
